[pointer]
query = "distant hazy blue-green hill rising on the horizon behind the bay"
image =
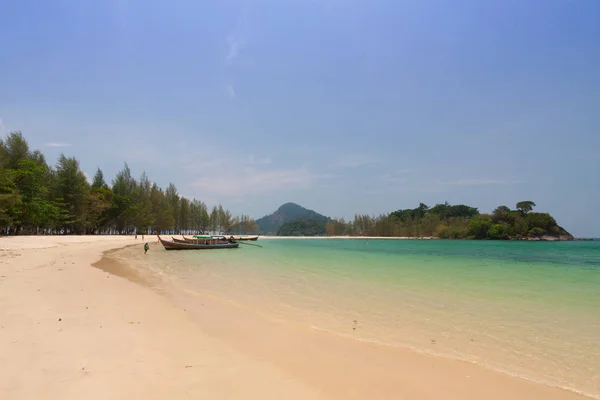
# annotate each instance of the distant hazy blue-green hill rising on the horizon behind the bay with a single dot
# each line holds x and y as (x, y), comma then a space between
(289, 213)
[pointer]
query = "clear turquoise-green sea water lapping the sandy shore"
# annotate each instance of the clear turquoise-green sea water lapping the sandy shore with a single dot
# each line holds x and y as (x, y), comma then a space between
(527, 309)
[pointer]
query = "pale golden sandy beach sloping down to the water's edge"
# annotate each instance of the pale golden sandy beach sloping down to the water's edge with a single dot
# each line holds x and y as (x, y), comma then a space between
(72, 331)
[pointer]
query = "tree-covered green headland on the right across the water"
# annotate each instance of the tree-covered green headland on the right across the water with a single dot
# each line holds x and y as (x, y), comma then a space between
(452, 222)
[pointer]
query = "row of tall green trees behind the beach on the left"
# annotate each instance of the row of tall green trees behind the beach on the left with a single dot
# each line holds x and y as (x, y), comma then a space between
(36, 198)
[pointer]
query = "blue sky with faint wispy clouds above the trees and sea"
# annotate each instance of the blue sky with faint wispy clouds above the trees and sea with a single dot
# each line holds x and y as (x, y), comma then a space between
(341, 106)
